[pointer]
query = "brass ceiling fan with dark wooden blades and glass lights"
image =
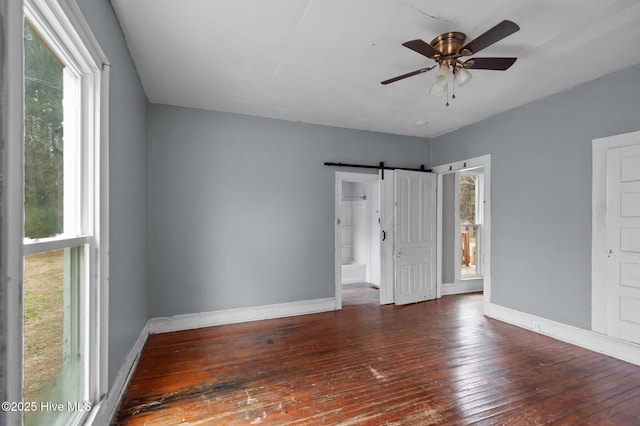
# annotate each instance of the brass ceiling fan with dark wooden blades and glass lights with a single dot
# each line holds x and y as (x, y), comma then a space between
(448, 48)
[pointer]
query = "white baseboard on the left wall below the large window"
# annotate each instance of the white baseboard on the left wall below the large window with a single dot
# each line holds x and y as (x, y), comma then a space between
(109, 405)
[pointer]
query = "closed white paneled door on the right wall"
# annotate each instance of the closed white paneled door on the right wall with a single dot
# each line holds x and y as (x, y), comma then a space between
(623, 242)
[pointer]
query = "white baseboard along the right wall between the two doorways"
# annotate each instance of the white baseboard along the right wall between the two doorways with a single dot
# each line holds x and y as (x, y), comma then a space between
(591, 340)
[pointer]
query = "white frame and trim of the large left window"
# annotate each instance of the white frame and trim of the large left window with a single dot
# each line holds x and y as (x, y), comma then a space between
(68, 34)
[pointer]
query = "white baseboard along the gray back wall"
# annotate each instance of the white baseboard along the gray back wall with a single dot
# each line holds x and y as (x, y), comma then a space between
(231, 316)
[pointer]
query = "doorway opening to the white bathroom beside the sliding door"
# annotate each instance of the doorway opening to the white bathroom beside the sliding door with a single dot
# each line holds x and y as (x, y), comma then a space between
(358, 213)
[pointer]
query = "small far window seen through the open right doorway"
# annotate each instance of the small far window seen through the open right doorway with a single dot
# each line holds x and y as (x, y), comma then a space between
(470, 218)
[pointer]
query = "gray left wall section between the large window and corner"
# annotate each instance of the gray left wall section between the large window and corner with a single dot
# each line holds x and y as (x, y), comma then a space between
(128, 307)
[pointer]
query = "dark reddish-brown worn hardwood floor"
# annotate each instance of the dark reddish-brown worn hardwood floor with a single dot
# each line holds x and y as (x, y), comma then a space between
(439, 362)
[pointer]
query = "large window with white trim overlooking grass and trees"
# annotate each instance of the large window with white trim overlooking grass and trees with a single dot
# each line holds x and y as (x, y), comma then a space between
(64, 195)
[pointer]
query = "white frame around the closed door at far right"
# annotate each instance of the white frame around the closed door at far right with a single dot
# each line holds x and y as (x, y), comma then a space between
(599, 225)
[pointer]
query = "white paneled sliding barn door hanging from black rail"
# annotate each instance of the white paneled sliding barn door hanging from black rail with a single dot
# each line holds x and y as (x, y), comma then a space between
(414, 236)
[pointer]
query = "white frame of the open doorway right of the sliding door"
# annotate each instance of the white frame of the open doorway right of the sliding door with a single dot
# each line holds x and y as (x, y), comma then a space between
(458, 166)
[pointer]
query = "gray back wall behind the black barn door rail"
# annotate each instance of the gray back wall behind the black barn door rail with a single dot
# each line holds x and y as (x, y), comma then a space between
(242, 209)
